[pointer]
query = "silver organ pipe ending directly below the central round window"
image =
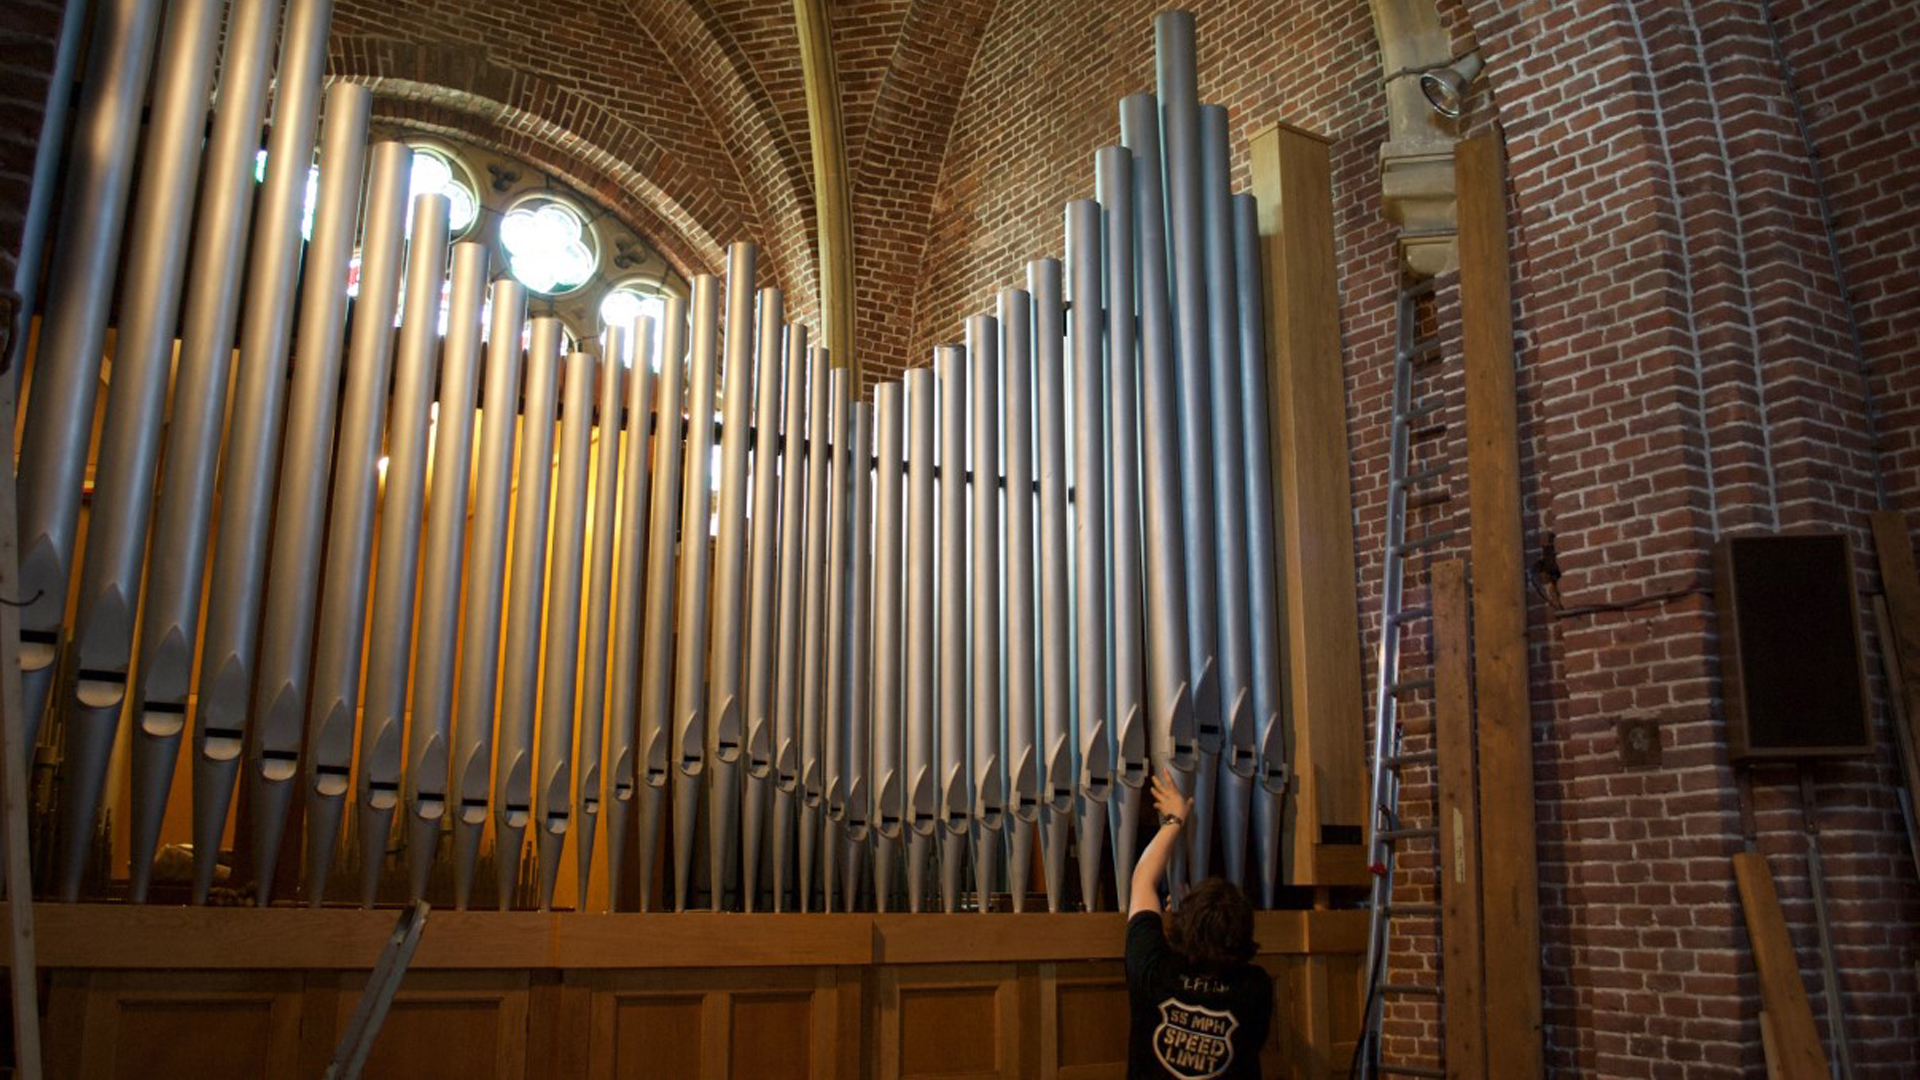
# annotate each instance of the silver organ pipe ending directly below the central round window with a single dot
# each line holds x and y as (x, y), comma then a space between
(527, 579)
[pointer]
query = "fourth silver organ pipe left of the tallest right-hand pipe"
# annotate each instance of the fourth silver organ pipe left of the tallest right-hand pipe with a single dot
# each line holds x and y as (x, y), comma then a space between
(1057, 614)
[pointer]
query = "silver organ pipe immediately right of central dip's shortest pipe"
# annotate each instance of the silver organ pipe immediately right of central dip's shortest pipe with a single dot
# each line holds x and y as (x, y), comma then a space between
(888, 649)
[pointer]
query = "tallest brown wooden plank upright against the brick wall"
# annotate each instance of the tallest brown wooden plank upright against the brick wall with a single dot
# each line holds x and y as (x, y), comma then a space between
(1510, 871)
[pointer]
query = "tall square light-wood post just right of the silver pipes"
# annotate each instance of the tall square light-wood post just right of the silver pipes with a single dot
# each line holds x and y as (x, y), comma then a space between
(1293, 182)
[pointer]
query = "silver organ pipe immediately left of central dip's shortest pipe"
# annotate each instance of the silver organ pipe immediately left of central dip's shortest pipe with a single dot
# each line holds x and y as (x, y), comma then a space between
(834, 697)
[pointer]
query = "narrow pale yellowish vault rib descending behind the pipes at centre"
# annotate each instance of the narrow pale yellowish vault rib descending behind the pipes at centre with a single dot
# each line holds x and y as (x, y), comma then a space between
(832, 203)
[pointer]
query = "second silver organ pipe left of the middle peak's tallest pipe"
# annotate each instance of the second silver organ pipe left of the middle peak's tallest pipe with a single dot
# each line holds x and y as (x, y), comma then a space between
(663, 537)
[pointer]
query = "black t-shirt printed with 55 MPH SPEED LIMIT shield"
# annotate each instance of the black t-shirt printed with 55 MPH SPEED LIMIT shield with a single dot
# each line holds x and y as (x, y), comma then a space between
(1189, 1025)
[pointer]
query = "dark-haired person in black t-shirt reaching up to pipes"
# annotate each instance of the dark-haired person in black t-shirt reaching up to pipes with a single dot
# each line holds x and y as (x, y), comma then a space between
(1201, 1008)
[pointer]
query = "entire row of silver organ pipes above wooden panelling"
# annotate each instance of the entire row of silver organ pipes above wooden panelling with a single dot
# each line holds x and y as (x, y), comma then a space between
(853, 649)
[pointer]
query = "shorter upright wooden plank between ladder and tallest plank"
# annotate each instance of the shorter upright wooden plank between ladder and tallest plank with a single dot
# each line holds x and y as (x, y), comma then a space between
(1464, 1006)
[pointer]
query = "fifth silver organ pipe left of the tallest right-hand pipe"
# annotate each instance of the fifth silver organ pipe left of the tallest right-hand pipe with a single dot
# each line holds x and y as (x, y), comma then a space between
(1022, 645)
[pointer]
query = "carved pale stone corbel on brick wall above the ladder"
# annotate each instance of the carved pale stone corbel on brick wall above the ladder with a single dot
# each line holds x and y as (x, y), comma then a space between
(1418, 159)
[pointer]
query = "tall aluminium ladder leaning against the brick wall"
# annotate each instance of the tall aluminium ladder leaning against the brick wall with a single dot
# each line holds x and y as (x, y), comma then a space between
(1418, 403)
